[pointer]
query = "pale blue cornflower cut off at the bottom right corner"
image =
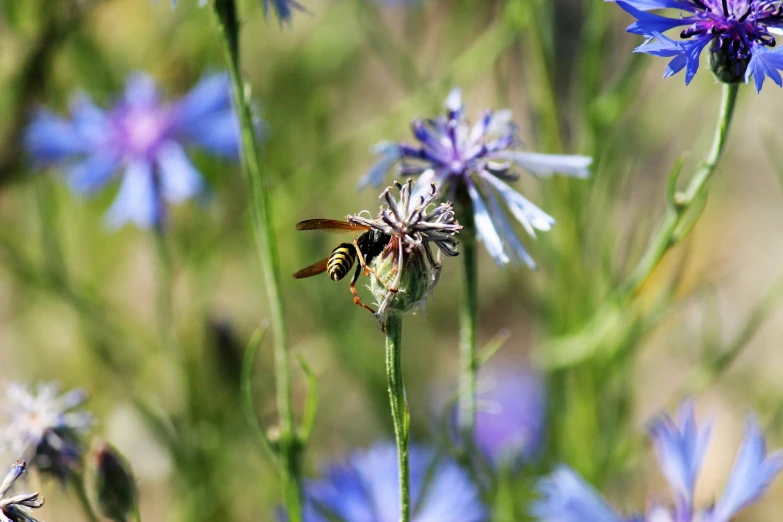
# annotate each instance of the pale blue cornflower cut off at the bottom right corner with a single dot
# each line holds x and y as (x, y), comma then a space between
(680, 448)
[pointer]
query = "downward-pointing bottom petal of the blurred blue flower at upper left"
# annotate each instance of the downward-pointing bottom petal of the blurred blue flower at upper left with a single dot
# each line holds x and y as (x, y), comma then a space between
(138, 200)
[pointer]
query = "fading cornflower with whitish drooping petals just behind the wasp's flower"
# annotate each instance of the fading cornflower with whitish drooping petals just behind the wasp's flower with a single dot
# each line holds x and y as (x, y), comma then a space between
(477, 160)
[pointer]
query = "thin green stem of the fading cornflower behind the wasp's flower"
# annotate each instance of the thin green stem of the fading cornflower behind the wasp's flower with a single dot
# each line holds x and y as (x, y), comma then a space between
(466, 410)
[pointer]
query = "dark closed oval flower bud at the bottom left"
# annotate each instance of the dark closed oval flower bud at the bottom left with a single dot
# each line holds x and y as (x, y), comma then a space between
(113, 484)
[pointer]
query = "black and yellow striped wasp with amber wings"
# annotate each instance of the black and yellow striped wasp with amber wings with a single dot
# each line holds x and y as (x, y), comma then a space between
(365, 247)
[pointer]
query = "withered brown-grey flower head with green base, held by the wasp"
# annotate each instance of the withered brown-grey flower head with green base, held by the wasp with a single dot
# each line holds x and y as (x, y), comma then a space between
(407, 271)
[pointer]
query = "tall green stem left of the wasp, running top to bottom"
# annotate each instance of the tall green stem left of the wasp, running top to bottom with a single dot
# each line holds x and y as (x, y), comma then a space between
(263, 227)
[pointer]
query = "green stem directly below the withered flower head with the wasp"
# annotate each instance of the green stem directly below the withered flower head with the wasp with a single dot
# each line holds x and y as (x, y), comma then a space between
(399, 408)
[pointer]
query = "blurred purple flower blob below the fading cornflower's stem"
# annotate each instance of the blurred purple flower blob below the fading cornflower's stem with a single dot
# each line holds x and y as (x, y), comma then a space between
(511, 414)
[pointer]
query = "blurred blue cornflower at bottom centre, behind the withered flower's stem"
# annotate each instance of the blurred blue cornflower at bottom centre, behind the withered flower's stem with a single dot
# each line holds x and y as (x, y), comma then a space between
(364, 488)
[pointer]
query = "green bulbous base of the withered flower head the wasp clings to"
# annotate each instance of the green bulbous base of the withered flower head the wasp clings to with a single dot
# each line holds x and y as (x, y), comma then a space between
(402, 281)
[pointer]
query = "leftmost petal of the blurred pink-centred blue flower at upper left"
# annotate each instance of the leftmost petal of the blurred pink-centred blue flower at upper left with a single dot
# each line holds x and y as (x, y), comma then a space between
(50, 138)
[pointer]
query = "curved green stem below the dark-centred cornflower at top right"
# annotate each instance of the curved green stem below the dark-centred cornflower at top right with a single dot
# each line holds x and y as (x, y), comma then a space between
(686, 205)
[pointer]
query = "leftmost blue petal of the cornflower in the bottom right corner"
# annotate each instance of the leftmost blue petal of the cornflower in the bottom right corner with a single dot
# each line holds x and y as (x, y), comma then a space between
(568, 498)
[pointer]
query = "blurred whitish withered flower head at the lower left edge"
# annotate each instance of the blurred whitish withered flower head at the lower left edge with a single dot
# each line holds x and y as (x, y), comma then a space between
(43, 428)
